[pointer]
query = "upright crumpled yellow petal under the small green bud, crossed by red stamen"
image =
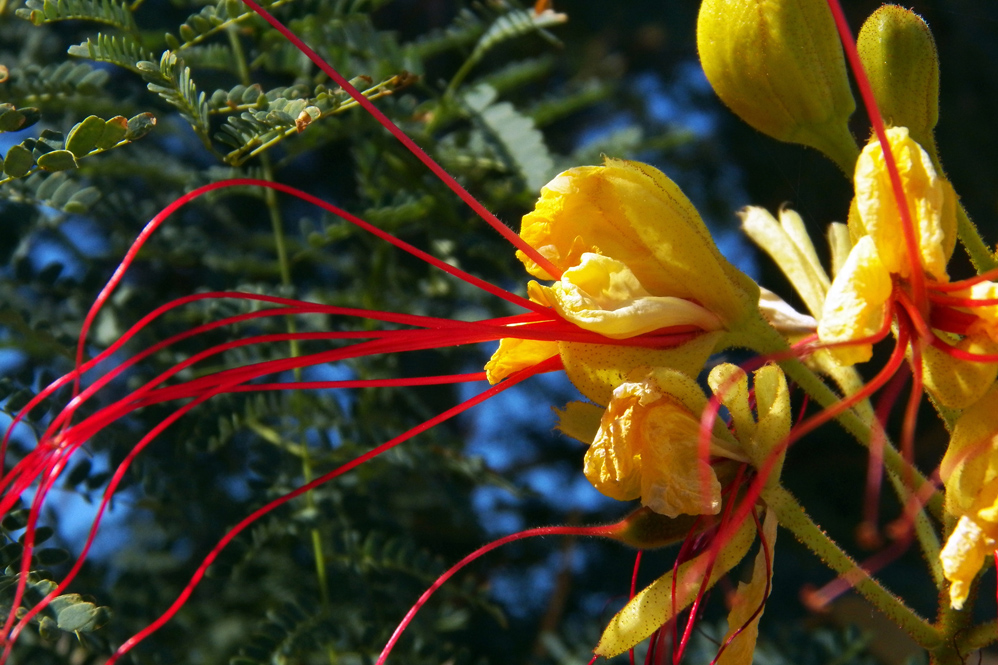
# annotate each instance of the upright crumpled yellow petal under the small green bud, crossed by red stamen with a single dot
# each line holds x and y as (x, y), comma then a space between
(930, 200)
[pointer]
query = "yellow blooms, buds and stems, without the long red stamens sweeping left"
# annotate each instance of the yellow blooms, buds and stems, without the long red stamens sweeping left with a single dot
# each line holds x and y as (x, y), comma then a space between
(639, 268)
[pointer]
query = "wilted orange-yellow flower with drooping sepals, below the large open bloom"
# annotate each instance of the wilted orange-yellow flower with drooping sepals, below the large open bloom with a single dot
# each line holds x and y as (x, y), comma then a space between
(648, 446)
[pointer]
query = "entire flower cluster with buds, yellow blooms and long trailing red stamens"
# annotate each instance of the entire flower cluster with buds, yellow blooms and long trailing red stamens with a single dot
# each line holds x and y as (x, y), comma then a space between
(634, 302)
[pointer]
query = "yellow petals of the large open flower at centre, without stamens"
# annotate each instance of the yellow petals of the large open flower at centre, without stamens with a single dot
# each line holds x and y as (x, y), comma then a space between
(635, 258)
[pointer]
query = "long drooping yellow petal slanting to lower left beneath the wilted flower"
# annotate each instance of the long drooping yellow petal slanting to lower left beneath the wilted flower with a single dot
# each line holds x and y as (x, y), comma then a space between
(649, 609)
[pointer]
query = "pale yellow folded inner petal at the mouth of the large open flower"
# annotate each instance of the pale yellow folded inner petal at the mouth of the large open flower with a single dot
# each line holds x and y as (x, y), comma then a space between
(602, 295)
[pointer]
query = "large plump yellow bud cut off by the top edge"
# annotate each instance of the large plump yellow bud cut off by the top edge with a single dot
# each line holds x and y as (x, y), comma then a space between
(778, 64)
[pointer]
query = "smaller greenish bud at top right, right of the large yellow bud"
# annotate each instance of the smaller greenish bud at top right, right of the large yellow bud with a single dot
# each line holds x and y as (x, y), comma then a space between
(900, 59)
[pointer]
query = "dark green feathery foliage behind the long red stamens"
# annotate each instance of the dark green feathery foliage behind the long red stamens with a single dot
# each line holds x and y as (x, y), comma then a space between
(224, 96)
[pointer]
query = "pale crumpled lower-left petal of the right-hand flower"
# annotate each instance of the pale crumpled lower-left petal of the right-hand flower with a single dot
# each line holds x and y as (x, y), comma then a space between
(854, 306)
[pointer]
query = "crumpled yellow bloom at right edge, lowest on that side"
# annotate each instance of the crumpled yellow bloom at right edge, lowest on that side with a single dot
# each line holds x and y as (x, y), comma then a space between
(970, 472)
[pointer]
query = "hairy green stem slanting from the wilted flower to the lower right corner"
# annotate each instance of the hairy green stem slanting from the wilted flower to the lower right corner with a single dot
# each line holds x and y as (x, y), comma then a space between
(792, 517)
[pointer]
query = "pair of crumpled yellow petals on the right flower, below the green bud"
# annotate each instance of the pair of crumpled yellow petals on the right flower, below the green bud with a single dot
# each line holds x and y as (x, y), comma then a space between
(856, 298)
